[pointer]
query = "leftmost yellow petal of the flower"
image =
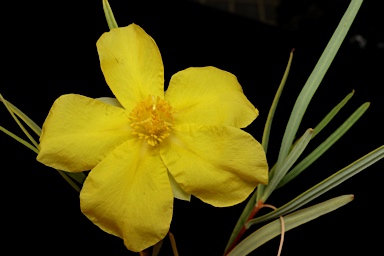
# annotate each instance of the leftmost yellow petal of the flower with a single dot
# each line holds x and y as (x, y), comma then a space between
(79, 132)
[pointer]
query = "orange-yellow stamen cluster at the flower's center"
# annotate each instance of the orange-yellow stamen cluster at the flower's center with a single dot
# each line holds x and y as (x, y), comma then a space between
(151, 120)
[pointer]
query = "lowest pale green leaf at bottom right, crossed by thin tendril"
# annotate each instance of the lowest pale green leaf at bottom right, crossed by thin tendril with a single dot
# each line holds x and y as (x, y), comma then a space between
(291, 221)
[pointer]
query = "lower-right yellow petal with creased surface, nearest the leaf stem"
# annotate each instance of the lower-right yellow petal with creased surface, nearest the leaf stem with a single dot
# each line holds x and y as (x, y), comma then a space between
(221, 165)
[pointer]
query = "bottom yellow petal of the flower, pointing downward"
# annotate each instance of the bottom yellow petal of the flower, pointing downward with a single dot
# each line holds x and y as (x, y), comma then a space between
(128, 195)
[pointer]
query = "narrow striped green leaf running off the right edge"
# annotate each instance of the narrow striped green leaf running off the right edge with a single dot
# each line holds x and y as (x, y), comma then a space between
(323, 186)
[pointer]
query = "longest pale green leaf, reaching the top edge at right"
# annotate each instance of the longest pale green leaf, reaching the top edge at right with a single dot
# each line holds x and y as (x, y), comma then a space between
(315, 79)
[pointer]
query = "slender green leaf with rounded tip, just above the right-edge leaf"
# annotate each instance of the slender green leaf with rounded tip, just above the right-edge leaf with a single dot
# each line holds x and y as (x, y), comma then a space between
(315, 154)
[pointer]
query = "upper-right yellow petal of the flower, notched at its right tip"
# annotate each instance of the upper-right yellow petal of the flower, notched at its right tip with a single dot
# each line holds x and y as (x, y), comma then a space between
(209, 96)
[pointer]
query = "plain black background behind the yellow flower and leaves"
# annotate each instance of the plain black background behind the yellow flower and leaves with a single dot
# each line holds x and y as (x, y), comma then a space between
(48, 49)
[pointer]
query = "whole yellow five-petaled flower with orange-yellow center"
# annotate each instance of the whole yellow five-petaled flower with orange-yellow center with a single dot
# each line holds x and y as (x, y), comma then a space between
(149, 146)
